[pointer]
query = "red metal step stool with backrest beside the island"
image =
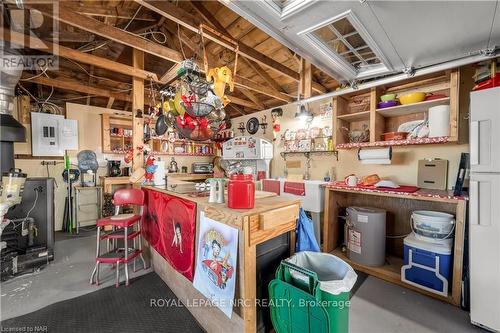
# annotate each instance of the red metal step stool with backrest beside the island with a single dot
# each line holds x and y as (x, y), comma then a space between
(124, 226)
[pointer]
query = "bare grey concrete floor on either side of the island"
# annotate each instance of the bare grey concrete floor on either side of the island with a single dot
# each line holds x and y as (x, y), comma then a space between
(376, 306)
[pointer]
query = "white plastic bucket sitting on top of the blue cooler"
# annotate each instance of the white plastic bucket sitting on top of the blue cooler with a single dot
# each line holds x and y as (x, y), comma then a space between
(432, 225)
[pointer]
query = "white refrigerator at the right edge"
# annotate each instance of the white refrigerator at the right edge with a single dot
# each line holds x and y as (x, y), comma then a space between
(484, 208)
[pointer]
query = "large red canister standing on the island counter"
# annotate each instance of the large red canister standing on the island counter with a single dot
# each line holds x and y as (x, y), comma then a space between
(240, 191)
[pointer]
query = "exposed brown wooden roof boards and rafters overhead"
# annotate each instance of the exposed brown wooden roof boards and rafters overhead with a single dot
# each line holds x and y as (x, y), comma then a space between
(259, 84)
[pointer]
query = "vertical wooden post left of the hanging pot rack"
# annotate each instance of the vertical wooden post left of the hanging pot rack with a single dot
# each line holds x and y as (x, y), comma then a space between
(137, 106)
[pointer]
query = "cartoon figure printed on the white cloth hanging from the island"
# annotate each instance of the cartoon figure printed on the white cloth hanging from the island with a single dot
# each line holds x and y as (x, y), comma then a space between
(216, 261)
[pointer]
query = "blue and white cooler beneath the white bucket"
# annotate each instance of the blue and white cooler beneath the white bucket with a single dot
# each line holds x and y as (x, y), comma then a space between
(427, 265)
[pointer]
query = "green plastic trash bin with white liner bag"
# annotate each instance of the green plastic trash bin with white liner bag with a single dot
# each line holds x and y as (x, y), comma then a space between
(310, 293)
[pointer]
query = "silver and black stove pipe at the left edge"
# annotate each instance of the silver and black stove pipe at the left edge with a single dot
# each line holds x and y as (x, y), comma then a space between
(10, 129)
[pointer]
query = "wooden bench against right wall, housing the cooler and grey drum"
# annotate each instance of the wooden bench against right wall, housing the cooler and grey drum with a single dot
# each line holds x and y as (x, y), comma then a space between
(399, 207)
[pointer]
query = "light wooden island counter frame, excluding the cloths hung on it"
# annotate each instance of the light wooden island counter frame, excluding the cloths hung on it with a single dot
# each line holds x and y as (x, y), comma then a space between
(271, 216)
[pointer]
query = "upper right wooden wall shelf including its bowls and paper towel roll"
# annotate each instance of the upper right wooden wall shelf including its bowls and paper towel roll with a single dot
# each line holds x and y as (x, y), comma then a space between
(398, 114)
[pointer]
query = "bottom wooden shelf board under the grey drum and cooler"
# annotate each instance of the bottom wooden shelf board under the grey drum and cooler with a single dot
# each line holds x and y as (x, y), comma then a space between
(390, 272)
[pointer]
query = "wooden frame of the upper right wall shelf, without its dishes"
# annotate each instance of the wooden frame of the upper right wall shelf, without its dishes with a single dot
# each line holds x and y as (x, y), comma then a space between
(350, 112)
